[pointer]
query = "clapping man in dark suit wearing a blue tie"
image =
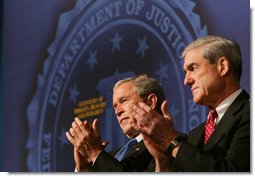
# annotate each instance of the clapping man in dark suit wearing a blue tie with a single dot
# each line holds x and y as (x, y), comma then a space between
(89, 151)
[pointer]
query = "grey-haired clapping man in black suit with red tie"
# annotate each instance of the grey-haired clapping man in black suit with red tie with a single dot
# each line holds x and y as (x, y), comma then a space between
(213, 68)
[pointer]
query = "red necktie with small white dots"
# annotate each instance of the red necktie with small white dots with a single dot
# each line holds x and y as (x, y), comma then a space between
(210, 124)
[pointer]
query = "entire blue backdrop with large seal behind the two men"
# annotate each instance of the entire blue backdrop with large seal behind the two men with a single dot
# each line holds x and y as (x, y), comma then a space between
(60, 59)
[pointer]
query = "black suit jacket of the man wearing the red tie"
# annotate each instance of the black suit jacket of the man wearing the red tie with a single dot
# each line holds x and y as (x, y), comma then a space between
(228, 148)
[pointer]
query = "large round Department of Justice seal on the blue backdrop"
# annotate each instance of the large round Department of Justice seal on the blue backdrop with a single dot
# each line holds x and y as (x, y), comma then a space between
(98, 43)
